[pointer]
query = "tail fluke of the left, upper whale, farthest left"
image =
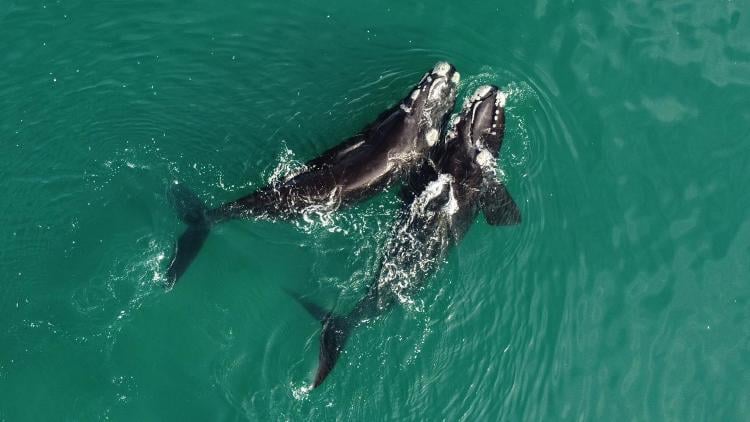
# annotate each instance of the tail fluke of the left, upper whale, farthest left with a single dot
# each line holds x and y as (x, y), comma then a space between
(191, 211)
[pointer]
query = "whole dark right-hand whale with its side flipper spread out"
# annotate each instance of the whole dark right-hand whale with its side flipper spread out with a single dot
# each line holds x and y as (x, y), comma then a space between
(447, 194)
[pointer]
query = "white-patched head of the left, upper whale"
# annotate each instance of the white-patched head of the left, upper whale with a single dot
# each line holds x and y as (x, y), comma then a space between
(430, 103)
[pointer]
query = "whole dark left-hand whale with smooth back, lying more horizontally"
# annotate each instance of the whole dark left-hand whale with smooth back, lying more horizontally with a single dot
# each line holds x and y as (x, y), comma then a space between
(384, 151)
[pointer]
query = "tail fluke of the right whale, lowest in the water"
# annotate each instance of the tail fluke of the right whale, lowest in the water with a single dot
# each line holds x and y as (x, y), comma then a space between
(336, 330)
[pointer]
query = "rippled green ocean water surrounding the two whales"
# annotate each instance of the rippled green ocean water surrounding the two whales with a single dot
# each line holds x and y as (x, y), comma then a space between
(624, 295)
